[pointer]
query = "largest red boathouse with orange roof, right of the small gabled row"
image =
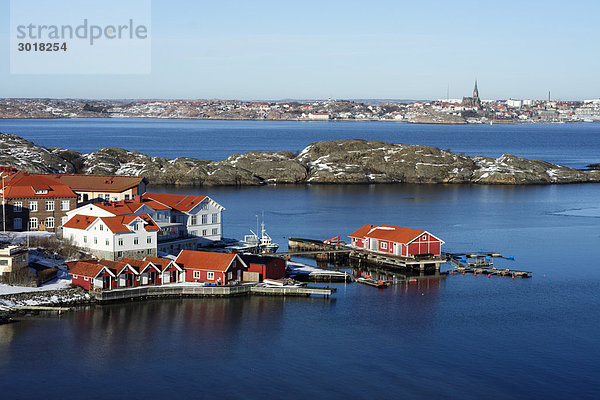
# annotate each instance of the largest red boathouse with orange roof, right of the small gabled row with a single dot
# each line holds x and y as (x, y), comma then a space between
(210, 267)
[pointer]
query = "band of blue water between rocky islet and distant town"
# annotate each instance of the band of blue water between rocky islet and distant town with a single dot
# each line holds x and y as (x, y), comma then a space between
(573, 145)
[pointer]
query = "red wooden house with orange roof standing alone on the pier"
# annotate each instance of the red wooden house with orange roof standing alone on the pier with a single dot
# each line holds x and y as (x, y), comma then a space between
(396, 240)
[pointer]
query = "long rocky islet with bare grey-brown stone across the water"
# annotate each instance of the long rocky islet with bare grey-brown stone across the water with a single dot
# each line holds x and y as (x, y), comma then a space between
(348, 161)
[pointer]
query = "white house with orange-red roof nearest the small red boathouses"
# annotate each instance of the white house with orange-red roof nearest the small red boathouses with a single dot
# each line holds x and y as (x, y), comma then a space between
(114, 237)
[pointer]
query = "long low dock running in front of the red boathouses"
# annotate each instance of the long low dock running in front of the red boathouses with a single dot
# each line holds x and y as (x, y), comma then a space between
(143, 292)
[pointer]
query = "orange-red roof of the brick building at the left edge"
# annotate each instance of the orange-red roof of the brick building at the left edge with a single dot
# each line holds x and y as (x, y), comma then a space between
(22, 185)
